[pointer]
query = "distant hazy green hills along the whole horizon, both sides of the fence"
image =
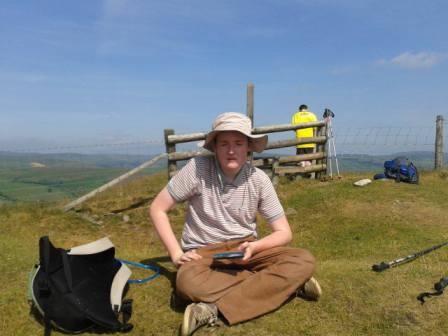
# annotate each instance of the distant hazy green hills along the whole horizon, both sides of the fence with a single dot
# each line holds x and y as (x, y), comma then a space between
(50, 177)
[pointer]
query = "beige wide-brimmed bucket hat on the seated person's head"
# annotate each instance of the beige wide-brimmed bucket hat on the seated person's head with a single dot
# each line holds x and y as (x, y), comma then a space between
(234, 121)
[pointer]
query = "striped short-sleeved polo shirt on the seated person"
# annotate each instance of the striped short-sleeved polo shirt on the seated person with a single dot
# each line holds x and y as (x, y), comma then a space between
(219, 210)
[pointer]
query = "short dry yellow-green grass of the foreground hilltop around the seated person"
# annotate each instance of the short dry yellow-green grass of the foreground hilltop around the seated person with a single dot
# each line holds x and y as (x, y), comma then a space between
(347, 228)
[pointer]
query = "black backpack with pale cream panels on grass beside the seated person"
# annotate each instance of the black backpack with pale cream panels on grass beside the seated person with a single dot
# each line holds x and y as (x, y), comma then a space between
(81, 288)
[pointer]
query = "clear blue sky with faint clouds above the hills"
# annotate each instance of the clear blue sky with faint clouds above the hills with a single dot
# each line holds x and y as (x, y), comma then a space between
(91, 72)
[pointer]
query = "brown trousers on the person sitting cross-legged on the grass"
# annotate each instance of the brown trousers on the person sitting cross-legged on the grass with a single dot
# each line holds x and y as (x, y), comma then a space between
(243, 290)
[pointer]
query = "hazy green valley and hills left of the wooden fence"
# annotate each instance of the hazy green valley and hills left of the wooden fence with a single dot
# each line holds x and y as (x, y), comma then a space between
(33, 177)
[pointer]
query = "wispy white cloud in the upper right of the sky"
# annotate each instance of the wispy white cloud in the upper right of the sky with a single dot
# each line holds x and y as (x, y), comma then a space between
(418, 60)
